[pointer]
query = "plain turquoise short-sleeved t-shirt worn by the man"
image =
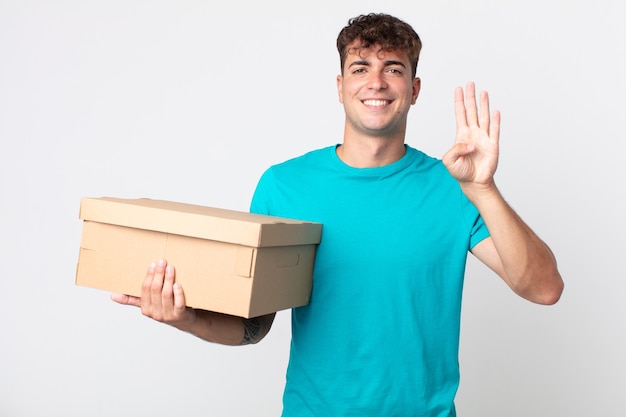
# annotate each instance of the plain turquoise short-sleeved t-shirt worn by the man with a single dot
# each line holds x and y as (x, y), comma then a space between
(380, 335)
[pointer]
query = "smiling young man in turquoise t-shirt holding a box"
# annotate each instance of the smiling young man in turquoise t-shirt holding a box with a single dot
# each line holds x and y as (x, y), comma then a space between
(380, 335)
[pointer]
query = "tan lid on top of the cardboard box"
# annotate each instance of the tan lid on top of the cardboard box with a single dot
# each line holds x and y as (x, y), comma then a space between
(202, 222)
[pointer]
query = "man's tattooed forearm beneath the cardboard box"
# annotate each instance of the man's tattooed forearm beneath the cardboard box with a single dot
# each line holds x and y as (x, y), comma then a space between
(226, 329)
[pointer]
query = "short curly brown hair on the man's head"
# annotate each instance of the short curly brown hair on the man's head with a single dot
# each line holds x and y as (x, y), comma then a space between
(389, 32)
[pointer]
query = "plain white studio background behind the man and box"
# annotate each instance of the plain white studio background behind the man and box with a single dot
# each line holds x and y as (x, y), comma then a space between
(192, 100)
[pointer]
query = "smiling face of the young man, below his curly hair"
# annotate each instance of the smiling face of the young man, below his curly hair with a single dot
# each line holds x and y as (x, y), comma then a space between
(377, 89)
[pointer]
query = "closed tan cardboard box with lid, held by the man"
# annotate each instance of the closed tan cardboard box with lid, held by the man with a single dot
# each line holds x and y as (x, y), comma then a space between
(226, 261)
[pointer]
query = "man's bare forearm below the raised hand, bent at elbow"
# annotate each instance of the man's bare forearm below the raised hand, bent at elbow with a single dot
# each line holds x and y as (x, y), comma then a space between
(524, 261)
